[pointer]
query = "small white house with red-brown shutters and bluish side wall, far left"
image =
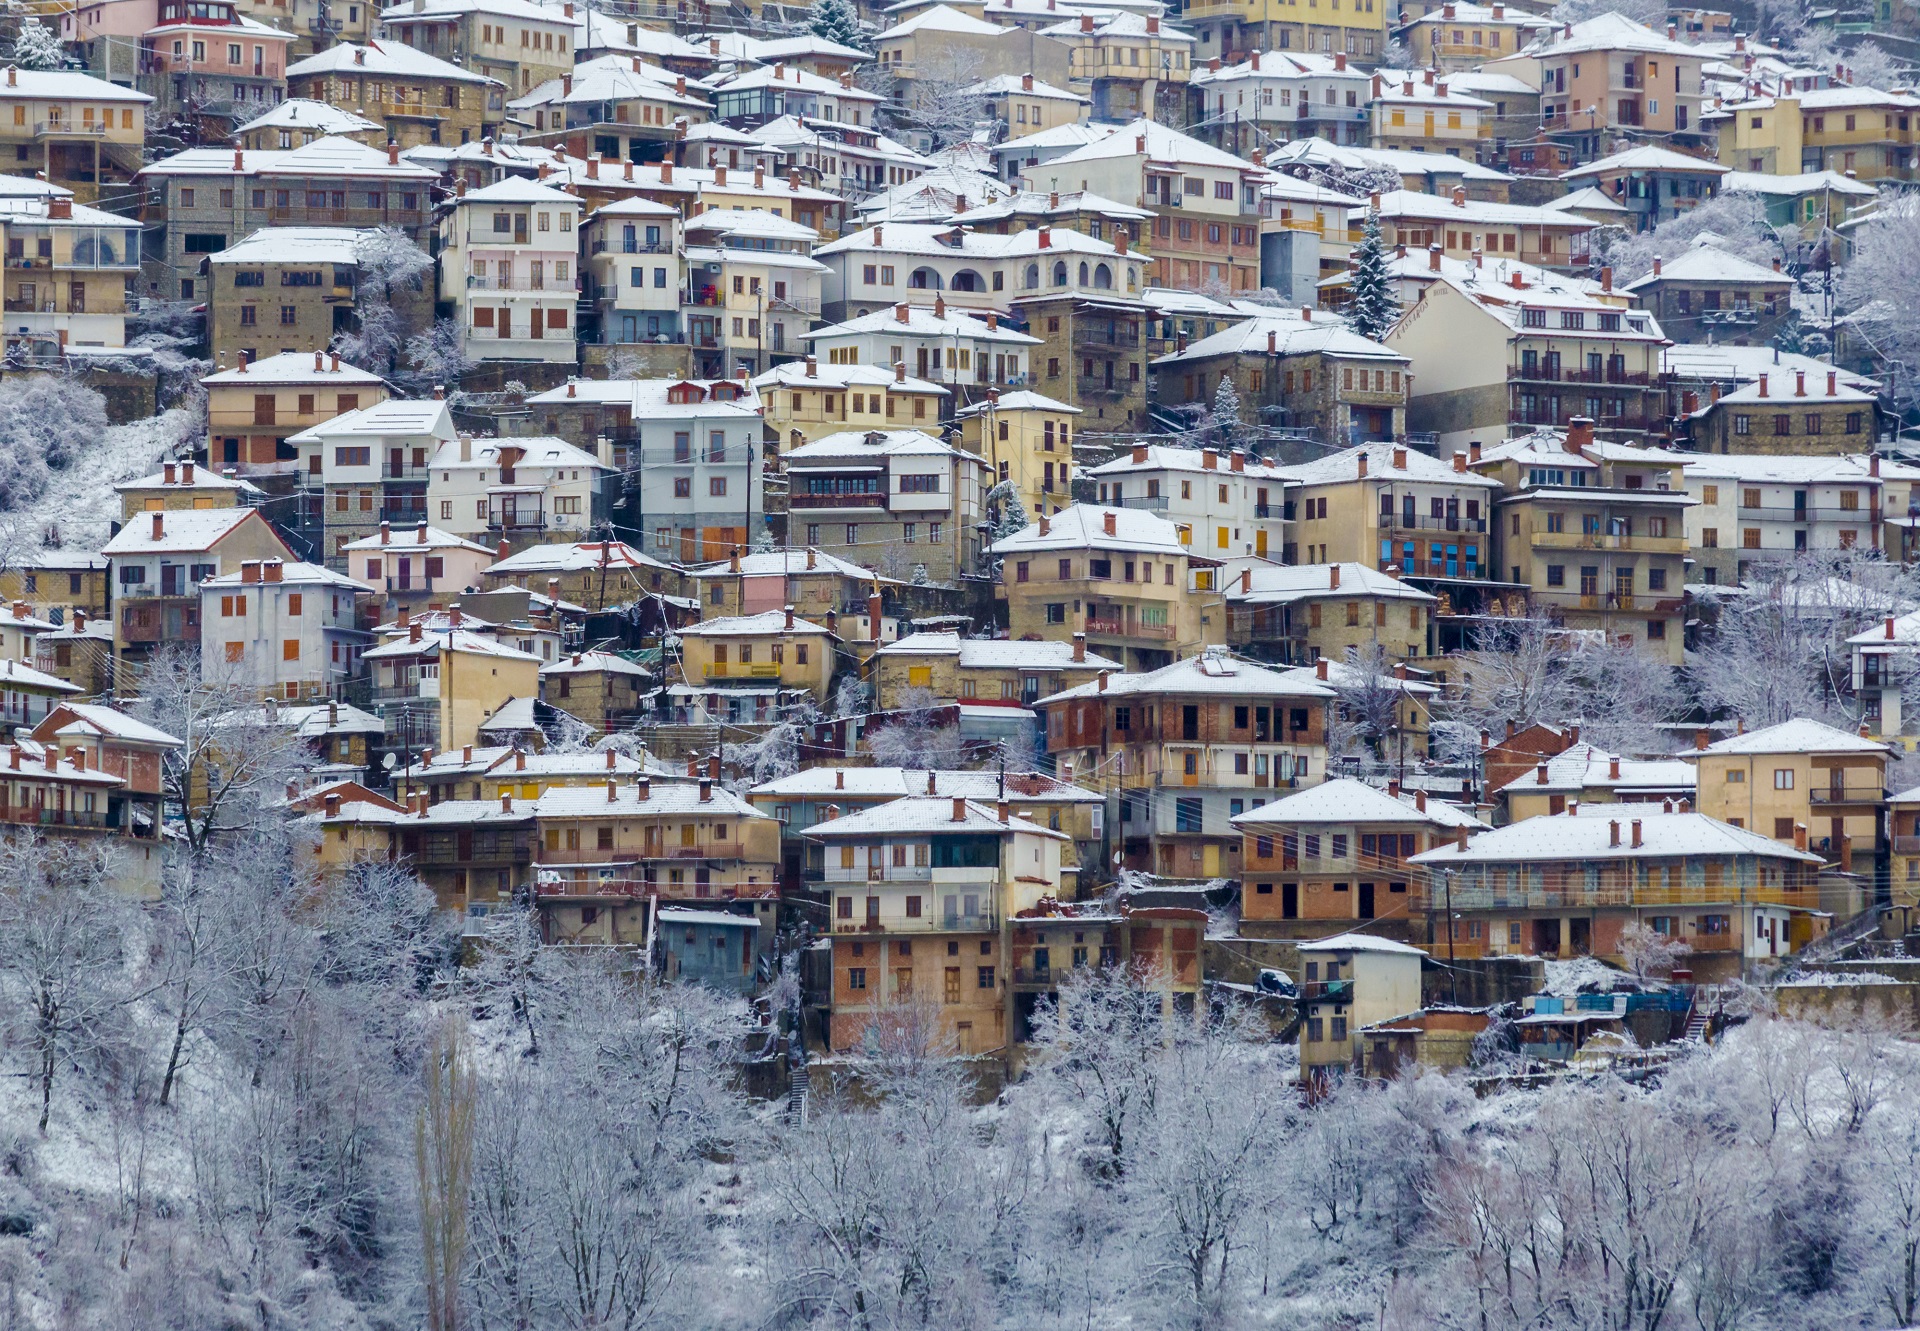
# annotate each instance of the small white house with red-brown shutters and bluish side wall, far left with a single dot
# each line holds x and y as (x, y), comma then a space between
(283, 629)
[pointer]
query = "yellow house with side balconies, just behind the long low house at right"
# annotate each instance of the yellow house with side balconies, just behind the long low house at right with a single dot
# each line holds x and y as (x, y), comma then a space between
(1800, 783)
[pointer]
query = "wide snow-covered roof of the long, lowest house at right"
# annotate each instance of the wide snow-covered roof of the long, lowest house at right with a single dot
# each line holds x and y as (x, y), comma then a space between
(1591, 836)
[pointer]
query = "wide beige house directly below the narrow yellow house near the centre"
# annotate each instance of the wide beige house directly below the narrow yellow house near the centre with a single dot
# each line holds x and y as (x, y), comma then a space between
(1118, 577)
